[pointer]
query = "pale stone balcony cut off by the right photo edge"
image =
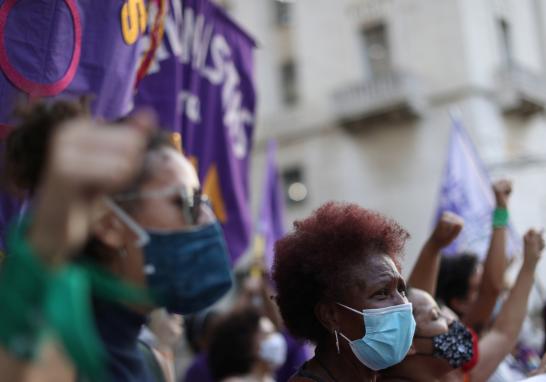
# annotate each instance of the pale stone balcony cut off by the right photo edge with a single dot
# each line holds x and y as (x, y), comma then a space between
(521, 90)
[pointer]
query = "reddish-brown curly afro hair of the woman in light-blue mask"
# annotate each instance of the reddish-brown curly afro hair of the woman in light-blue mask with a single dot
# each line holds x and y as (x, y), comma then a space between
(313, 262)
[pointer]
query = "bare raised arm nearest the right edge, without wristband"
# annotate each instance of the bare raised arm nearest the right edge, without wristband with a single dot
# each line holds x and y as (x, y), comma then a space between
(499, 342)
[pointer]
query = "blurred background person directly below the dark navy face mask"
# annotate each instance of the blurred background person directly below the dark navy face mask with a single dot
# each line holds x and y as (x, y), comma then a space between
(158, 338)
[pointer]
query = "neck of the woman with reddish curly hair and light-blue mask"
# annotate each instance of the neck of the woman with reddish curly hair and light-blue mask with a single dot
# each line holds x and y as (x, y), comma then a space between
(342, 367)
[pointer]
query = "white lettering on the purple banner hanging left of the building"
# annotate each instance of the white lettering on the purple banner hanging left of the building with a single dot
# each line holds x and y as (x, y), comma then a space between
(191, 37)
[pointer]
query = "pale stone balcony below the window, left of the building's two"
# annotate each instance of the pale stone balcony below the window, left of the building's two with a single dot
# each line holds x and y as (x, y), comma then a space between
(395, 95)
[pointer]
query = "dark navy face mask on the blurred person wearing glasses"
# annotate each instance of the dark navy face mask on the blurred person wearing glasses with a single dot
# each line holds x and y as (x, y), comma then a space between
(186, 270)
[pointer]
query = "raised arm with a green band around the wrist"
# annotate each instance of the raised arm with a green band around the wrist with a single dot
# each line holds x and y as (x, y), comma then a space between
(495, 263)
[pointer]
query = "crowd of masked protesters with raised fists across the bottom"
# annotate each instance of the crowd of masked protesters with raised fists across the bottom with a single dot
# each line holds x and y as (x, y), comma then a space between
(117, 269)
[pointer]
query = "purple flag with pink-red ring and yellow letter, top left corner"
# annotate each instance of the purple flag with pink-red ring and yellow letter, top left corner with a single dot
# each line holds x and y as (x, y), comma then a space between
(71, 48)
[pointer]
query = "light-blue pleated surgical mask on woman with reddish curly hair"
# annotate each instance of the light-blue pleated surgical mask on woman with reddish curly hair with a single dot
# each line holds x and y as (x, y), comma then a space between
(388, 338)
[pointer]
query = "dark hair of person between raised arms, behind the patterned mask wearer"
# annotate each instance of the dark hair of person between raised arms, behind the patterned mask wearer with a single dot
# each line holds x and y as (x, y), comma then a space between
(454, 277)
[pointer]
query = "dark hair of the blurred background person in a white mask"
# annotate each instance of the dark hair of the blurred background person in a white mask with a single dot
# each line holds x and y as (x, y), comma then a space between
(232, 350)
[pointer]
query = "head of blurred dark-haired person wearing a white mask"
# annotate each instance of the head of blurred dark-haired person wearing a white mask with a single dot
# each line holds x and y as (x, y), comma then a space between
(245, 346)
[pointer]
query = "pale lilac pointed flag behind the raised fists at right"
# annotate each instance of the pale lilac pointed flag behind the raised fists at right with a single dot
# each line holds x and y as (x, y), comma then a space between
(466, 190)
